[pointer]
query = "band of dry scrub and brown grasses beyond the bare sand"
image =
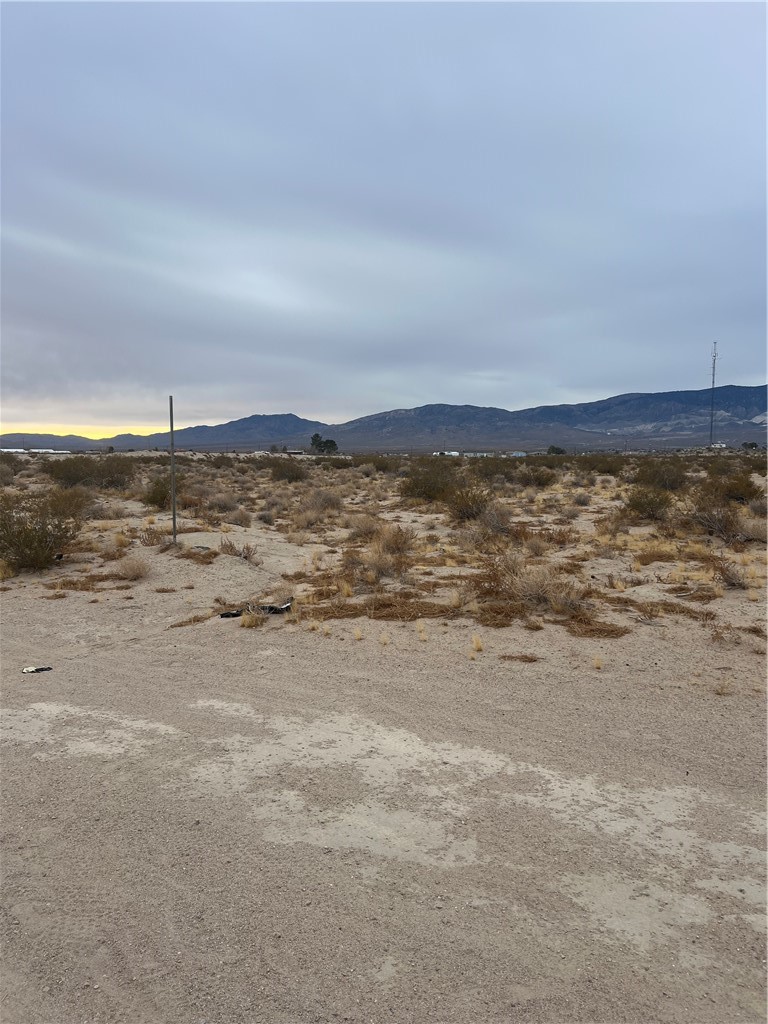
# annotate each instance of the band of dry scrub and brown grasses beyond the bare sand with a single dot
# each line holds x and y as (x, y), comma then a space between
(495, 541)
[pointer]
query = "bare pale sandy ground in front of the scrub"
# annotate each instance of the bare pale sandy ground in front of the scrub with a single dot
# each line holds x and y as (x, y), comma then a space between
(283, 825)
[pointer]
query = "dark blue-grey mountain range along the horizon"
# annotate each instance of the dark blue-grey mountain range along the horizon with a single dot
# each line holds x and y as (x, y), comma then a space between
(670, 419)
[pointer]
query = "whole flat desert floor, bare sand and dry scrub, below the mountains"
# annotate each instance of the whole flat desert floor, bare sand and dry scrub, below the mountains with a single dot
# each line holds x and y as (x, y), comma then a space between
(503, 760)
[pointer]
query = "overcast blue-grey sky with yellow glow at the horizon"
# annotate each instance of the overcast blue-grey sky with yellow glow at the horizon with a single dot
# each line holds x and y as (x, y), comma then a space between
(339, 209)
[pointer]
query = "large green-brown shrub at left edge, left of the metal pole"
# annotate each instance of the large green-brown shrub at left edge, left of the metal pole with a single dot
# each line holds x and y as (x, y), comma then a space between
(34, 529)
